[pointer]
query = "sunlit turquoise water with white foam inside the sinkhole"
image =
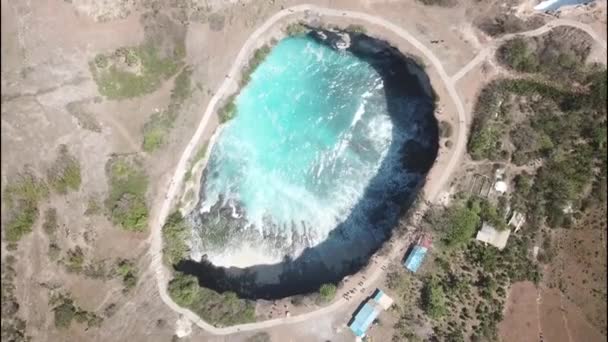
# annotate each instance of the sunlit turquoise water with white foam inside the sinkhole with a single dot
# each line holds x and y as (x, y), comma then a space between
(311, 130)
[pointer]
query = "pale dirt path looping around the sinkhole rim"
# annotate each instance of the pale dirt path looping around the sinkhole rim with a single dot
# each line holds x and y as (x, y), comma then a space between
(163, 274)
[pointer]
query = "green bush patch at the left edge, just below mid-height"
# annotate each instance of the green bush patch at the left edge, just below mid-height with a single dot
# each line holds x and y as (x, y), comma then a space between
(21, 199)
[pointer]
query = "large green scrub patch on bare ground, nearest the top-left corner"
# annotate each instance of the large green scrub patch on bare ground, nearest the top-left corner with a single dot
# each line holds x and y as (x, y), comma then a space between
(133, 71)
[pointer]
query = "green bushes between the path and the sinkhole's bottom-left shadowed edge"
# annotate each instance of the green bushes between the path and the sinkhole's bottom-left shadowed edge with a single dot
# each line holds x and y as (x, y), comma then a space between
(218, 309)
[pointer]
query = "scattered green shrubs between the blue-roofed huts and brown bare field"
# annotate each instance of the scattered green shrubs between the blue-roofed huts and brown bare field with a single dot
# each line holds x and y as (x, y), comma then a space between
(463, 288)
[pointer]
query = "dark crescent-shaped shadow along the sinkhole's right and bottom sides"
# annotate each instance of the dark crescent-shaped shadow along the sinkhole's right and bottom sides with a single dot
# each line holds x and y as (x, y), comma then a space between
(411, 103)
